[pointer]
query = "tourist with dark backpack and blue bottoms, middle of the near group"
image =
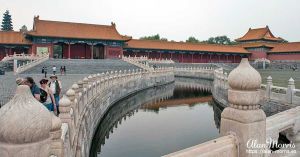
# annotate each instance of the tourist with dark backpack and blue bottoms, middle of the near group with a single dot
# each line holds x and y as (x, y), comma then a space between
(46, 96)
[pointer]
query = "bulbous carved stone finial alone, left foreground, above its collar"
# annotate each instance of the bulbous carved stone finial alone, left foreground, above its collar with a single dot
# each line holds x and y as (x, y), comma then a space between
(23, 119)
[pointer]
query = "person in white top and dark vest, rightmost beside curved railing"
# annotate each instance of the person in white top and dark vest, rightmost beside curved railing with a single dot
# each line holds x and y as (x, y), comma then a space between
(55, 86)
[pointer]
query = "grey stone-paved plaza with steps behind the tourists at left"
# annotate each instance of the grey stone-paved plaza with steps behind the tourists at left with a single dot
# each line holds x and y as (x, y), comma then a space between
(76, 70)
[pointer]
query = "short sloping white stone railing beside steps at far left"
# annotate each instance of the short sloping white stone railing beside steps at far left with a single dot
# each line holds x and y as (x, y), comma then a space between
(32, 63)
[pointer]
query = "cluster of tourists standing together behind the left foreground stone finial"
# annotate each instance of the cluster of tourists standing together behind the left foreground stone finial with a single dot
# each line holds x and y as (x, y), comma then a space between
(48, 93)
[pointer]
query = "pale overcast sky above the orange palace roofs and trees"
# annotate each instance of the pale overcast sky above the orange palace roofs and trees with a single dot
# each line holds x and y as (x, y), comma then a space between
(173, 19)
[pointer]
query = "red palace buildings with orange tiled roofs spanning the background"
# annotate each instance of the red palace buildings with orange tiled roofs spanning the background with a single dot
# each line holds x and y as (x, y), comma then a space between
(90, 41)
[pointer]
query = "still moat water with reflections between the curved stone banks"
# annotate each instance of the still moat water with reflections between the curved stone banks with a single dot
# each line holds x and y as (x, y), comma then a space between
(156, 122)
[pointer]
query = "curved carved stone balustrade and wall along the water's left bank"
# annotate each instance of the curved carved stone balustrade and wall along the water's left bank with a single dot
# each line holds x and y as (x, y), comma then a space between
(88, 100)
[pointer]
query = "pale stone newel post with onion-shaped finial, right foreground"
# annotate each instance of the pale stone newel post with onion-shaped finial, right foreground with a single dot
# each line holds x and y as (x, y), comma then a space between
(243, 117)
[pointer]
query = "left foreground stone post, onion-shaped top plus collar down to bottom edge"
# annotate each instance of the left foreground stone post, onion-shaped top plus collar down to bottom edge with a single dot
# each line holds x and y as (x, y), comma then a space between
(25, 126)
